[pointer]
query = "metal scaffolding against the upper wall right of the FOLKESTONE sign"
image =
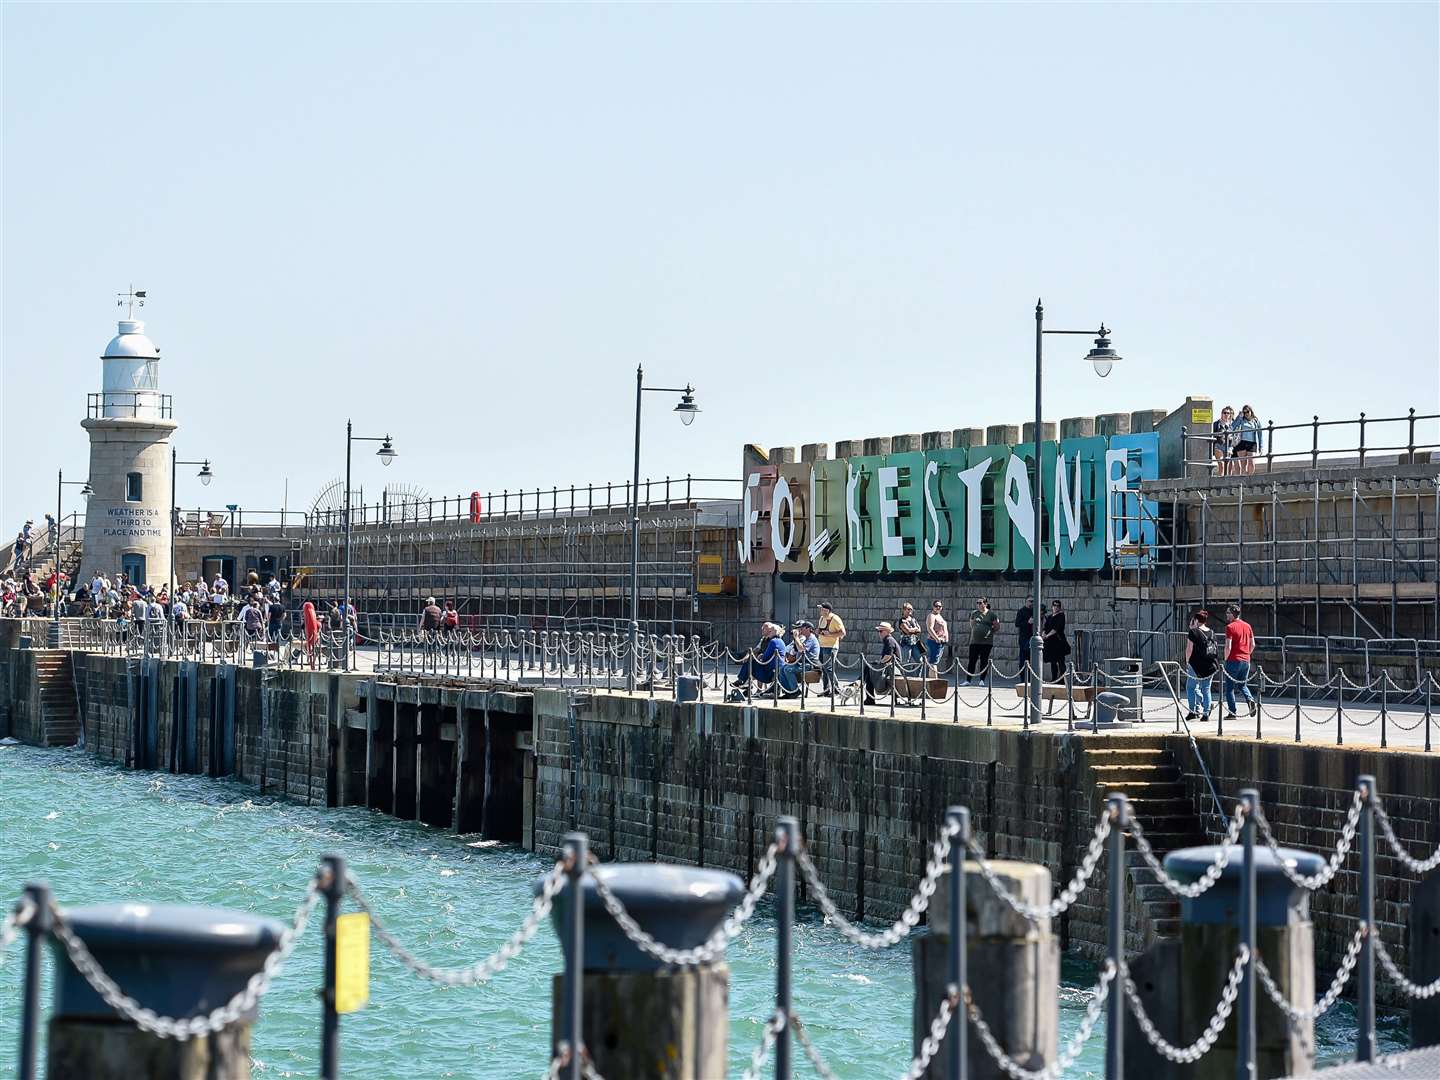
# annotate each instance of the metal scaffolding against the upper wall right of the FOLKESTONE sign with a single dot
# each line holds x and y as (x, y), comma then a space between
(1311, 554)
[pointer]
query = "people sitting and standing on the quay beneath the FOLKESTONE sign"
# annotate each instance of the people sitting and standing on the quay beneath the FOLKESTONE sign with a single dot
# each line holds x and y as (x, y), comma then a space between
(908, 646)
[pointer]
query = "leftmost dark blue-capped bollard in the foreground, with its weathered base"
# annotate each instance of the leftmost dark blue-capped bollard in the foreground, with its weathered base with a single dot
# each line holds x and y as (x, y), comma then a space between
(178, 961)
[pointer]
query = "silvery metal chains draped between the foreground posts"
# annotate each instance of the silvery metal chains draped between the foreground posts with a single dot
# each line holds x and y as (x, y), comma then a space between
(24, 912)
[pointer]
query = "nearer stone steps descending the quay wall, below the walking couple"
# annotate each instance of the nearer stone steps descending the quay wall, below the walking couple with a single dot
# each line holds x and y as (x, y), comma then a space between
(1163, 804)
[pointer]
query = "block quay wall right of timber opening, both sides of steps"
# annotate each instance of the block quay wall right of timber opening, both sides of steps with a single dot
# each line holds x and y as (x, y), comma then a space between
(702, 784)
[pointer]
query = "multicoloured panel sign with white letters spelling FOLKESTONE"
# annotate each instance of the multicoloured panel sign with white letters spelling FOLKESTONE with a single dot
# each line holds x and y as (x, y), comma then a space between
(964, 510)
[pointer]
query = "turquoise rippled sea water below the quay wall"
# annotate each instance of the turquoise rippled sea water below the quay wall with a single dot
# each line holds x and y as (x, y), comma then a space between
(99, 834)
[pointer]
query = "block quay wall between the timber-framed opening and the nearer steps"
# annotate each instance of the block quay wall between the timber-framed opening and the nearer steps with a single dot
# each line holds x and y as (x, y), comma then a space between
(702, 784)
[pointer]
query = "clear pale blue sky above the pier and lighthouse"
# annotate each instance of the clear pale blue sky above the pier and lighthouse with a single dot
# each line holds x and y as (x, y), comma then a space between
(467, 224)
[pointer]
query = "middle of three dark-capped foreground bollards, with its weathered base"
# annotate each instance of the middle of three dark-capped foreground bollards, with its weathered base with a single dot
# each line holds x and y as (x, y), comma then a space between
(643, 1017)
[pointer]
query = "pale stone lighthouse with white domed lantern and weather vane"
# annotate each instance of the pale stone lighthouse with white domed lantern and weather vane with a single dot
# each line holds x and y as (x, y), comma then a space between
(127, 522)
